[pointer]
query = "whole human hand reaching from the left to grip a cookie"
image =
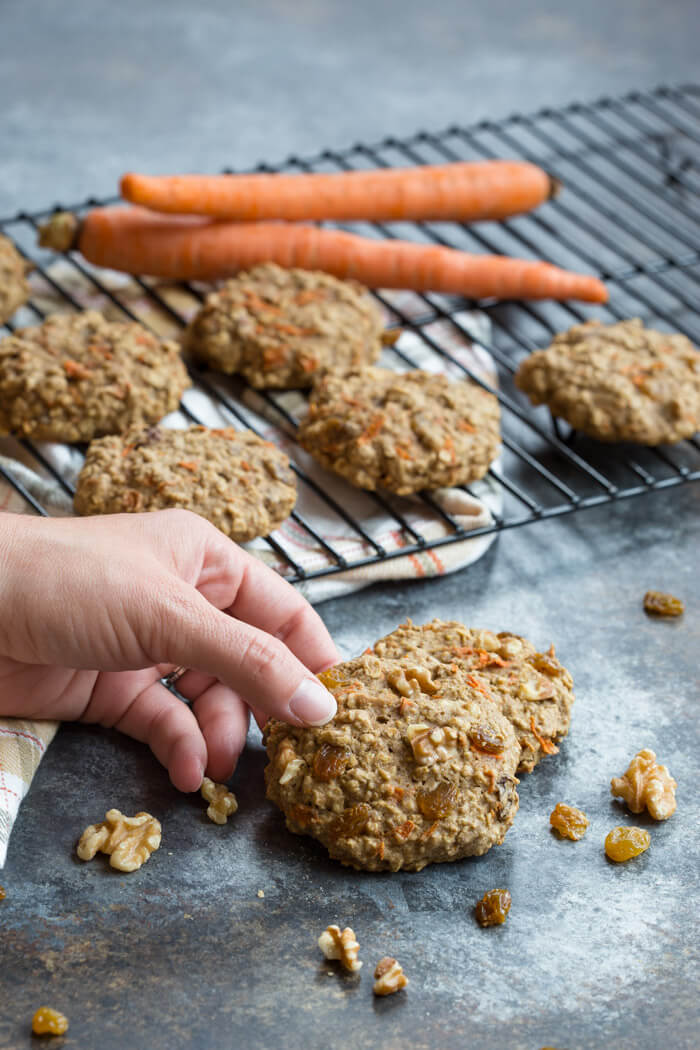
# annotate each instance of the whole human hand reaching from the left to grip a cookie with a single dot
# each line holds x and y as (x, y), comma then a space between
(94, 612)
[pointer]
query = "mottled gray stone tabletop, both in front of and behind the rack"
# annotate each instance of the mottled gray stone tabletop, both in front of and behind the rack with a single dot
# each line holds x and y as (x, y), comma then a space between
(183, 954)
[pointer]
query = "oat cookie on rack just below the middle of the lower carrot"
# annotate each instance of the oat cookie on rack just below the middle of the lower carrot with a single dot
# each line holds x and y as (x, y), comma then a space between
(280, 328)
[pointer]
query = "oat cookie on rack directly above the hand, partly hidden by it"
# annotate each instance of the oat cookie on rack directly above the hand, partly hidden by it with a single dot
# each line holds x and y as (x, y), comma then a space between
(240, 482)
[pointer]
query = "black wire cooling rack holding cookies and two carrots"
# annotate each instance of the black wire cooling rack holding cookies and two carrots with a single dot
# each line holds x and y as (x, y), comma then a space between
(629, 213)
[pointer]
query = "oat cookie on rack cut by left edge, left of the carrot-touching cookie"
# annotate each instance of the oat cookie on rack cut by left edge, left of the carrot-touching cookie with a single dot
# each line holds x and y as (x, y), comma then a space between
(79, 376)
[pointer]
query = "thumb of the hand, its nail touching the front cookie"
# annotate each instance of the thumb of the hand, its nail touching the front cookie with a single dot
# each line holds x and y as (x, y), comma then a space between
(266, 675)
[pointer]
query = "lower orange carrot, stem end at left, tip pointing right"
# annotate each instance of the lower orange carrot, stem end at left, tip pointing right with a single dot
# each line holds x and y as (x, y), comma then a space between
(186, 248)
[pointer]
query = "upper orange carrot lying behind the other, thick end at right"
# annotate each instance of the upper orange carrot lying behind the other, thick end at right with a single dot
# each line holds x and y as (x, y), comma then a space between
(463, 192)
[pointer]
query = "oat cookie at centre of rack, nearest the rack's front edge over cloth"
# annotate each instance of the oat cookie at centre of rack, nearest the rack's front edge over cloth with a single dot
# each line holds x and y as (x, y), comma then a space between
(405, 432)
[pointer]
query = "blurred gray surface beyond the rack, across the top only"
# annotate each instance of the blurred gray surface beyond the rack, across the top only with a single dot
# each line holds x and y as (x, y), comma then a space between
(90, 89)
